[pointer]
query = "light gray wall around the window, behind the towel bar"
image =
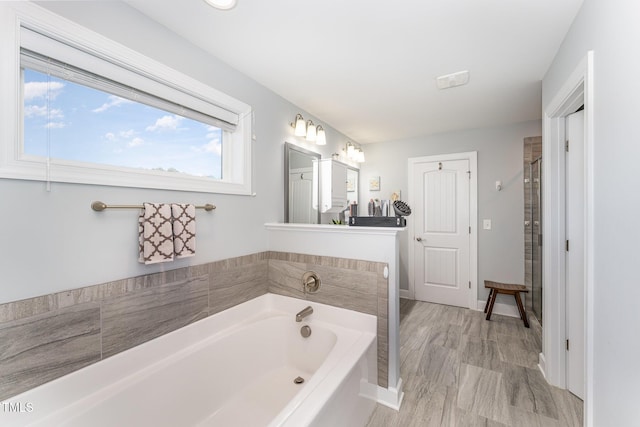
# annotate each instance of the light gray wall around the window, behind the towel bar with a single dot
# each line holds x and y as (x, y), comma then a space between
(53, 241)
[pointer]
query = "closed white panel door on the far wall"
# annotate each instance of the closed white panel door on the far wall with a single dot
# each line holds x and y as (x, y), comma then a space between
(442, 240)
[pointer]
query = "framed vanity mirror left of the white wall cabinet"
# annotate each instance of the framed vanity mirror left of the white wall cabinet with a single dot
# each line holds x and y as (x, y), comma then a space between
(299, 184)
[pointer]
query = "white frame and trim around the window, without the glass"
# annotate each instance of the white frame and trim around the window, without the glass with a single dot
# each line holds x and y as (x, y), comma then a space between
(236, 149)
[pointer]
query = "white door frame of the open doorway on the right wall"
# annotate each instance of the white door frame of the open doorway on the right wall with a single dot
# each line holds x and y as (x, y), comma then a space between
(576, 91)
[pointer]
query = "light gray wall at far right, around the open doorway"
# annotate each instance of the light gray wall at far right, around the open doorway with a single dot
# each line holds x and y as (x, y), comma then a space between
(610, 28)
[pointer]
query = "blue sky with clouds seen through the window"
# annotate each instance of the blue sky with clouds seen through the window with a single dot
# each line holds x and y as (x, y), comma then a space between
(89, 125)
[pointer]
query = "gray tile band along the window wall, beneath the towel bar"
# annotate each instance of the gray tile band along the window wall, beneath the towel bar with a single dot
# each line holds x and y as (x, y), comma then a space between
(49, 336)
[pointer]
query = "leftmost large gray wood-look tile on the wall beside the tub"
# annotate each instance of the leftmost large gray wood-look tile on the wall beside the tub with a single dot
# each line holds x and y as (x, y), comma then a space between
(40, 348)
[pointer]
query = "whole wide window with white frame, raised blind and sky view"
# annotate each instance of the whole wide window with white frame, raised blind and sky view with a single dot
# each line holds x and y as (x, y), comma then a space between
(92, 111)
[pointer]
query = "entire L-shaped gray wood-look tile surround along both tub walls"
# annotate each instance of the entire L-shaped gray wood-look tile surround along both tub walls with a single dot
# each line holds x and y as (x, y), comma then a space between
(48, 336)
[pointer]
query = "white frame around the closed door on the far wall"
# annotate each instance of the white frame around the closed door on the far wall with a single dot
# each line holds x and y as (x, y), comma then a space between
(472, 156)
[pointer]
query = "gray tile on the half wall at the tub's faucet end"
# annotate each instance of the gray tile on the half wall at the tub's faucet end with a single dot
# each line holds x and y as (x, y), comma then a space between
(345, 283)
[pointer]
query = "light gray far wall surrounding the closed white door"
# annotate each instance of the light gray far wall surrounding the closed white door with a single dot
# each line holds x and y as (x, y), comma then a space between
(500, 154)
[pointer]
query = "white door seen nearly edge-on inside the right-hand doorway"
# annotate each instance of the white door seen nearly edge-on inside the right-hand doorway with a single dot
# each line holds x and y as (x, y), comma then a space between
(575, 255)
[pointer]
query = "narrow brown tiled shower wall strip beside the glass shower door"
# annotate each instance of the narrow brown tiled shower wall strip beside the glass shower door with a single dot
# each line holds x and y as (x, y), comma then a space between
(532, 150)
